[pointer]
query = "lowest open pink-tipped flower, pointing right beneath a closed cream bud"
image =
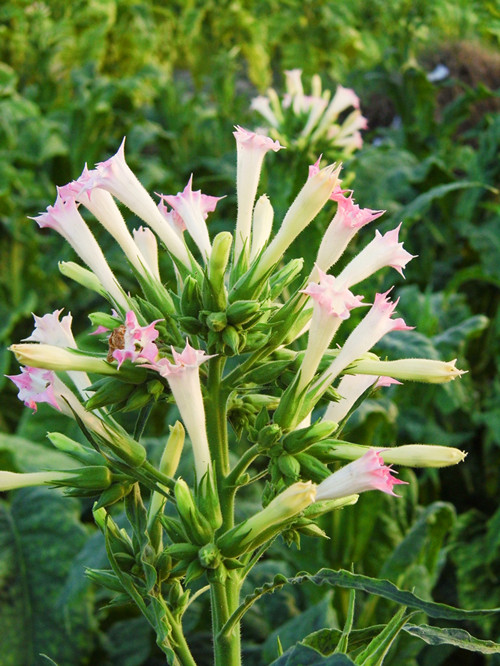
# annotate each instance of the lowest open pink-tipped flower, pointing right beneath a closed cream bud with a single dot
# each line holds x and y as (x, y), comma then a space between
(366, 473)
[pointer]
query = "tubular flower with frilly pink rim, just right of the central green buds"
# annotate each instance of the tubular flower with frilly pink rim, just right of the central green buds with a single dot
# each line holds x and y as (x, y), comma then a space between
(332, 303)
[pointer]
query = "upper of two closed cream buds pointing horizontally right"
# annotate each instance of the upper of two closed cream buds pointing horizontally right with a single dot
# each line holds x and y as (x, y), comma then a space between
(423, 370)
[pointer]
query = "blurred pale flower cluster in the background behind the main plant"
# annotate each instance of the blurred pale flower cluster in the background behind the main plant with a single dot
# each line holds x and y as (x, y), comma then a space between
(300, 120)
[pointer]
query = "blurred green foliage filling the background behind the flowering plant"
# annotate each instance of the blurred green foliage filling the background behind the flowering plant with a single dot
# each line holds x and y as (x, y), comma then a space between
(174, 77)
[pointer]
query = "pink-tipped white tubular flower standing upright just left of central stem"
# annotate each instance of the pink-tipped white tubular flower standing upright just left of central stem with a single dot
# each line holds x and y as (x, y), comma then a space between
(184, 380)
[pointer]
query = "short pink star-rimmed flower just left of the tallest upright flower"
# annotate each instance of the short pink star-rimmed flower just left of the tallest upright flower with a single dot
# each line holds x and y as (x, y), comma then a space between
(193, 208)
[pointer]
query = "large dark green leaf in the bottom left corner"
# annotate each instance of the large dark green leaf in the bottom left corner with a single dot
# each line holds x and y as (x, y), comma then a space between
(39, 536)
